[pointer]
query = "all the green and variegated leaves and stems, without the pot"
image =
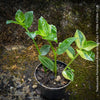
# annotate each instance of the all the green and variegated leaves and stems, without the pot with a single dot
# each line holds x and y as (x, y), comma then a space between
(49, 33)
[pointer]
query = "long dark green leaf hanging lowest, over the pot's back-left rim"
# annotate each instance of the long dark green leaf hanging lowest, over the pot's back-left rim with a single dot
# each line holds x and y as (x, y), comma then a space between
(47, 62)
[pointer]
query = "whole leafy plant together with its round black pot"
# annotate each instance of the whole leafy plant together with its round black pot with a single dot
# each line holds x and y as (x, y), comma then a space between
(54, 76)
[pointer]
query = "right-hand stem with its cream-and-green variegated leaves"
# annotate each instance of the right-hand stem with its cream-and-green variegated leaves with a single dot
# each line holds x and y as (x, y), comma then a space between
(84, 50)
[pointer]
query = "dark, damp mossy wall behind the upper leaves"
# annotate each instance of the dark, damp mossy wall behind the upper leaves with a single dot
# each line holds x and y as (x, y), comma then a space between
(67, 16)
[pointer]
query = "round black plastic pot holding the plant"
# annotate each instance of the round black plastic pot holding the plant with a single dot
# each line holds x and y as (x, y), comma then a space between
(52, 93)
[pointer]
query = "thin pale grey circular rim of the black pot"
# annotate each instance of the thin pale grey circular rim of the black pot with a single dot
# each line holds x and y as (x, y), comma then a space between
(46, 86)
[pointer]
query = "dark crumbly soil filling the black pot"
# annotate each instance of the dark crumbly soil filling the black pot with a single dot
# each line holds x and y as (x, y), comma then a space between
(48, 79)
